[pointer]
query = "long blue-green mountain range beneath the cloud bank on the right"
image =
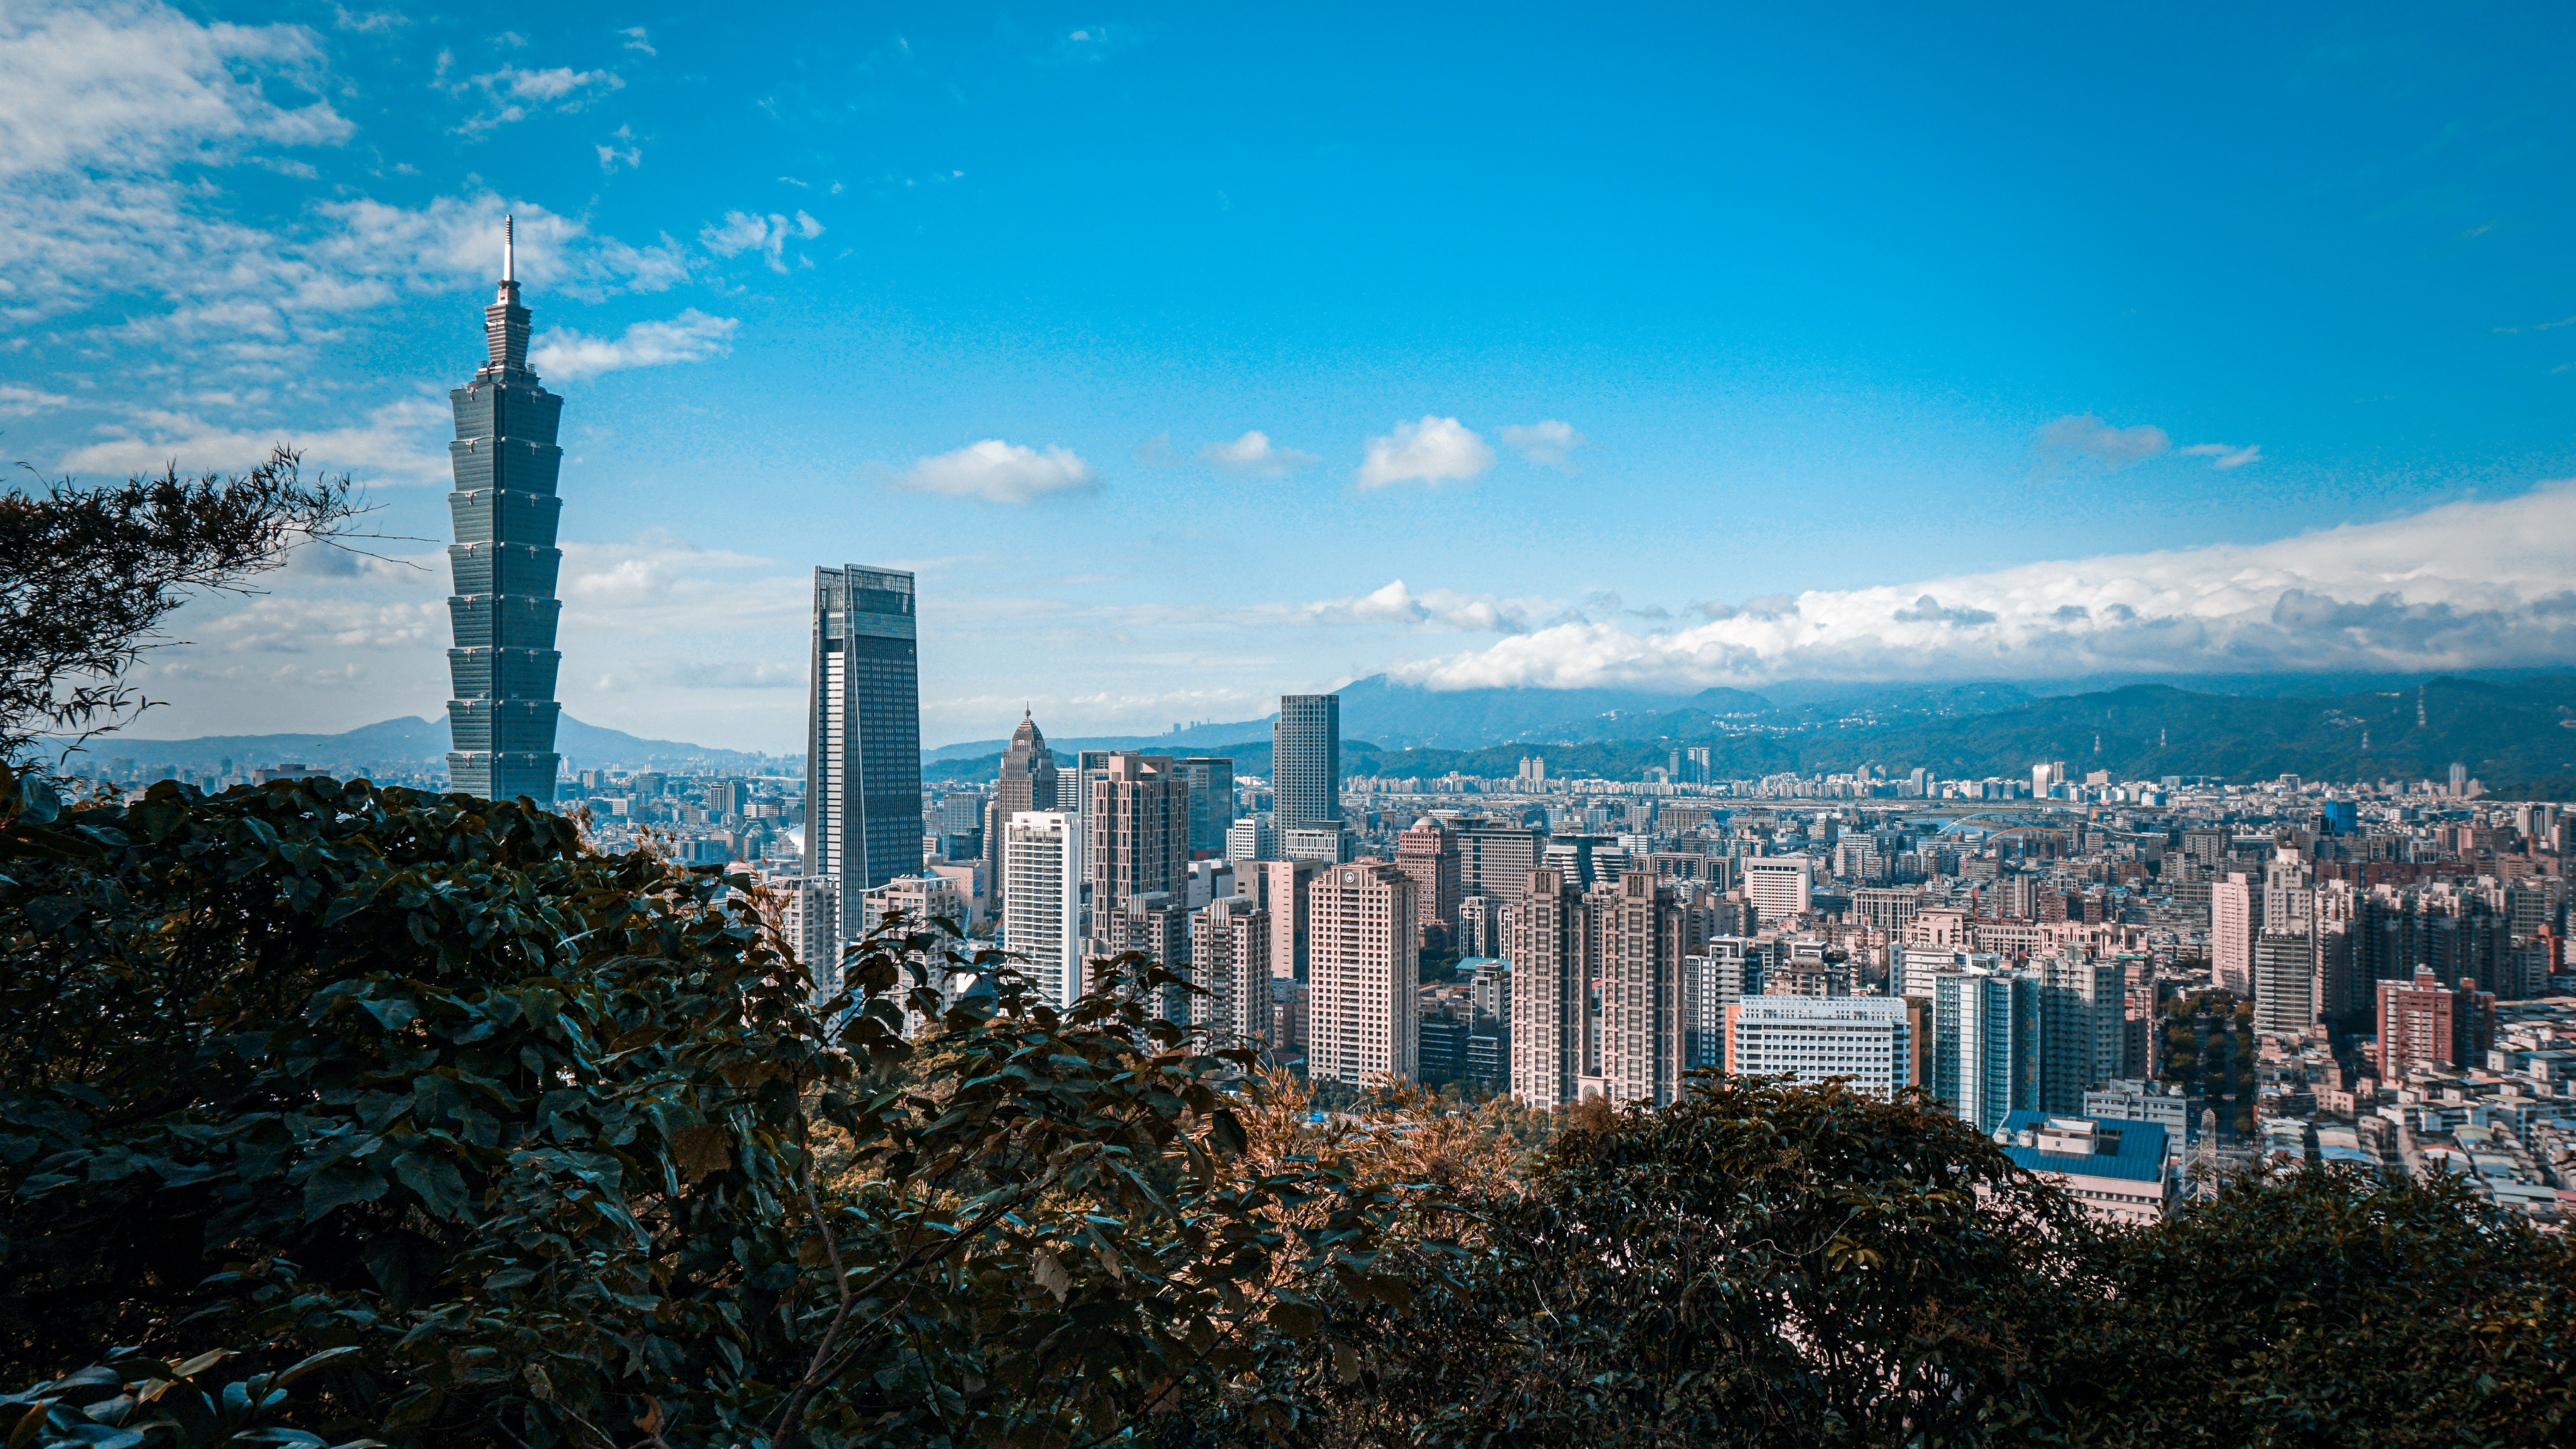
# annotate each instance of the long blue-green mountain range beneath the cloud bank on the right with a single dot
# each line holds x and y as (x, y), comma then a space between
(2515, 736)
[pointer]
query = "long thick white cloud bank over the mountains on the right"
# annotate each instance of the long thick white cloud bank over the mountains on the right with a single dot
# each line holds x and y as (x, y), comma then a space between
(2456, 587)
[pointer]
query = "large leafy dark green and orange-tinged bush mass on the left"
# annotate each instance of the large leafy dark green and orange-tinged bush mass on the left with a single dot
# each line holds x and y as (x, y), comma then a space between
(563, 1149)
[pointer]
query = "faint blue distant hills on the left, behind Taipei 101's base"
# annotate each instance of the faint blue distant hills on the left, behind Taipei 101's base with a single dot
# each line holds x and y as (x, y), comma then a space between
(419, 744)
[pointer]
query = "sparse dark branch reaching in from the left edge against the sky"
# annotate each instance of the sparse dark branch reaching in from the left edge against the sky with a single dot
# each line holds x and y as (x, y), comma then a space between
(91, 574)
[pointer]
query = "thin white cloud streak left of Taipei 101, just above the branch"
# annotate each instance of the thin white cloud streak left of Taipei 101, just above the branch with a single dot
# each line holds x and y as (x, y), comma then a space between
(398, 442)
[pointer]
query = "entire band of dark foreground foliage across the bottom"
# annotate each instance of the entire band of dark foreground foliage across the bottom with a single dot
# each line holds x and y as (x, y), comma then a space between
(457, 1133)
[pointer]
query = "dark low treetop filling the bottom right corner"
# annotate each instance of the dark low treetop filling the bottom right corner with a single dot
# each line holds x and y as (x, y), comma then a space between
(2325, 1306)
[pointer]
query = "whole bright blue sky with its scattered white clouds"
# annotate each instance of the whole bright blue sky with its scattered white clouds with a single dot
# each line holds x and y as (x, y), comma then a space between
(1583, 347)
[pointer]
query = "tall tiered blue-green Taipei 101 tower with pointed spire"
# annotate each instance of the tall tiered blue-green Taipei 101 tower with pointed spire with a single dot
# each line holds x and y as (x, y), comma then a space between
(506, 561)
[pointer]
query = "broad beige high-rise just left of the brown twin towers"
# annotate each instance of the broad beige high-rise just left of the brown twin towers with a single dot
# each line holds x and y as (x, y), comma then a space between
(1361, 973)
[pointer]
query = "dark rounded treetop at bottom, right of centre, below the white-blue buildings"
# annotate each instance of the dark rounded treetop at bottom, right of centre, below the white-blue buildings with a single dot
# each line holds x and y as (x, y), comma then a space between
(1758, 1265)
